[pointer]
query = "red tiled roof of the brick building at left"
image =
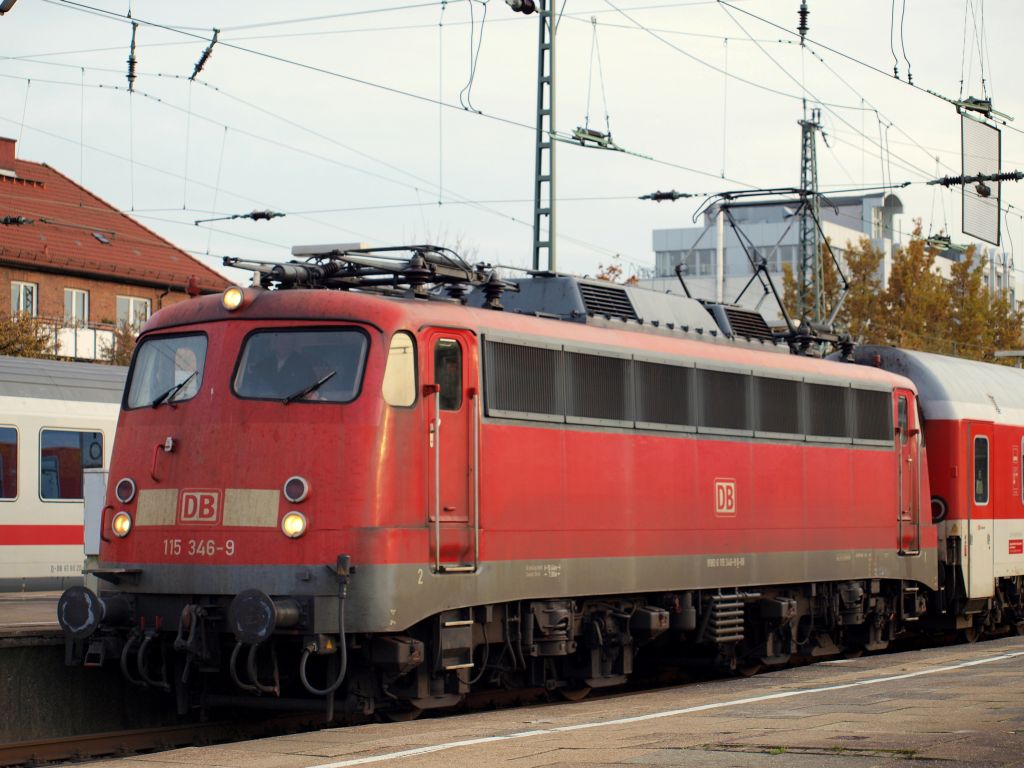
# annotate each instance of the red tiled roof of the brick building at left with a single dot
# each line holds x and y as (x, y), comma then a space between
(69, 224)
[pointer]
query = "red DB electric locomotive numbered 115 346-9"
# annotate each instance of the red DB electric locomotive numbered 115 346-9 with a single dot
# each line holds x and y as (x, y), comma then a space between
(390, 482)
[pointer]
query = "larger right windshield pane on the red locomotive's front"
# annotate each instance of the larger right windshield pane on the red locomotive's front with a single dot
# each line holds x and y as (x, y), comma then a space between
(303, 366)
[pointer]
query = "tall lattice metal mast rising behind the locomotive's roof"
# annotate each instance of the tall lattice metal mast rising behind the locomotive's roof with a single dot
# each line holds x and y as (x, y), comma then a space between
(544, 181)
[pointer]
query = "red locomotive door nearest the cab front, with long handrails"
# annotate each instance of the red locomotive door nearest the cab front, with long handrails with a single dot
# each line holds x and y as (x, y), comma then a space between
(452, 396)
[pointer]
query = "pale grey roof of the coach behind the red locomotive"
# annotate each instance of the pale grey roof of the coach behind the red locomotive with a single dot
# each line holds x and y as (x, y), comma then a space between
(956, 389)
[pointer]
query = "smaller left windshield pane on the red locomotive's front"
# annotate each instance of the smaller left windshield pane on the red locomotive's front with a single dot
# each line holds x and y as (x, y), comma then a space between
(168, 369)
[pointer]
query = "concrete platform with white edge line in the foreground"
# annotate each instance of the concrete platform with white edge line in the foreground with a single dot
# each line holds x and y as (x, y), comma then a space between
(962, 706)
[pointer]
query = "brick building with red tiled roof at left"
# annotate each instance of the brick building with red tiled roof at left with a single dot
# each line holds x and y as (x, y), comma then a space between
(79, 265)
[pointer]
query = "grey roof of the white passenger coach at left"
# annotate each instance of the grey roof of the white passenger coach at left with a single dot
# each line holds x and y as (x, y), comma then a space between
(57, 380)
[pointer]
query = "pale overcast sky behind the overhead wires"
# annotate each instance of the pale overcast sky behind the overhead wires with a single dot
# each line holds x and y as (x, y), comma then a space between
(329, 112)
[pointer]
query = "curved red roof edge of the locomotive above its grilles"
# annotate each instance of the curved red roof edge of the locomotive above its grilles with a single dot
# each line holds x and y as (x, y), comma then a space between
(391, 314)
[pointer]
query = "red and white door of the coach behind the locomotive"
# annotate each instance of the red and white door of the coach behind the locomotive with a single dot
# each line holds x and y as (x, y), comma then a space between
(980, 503)
